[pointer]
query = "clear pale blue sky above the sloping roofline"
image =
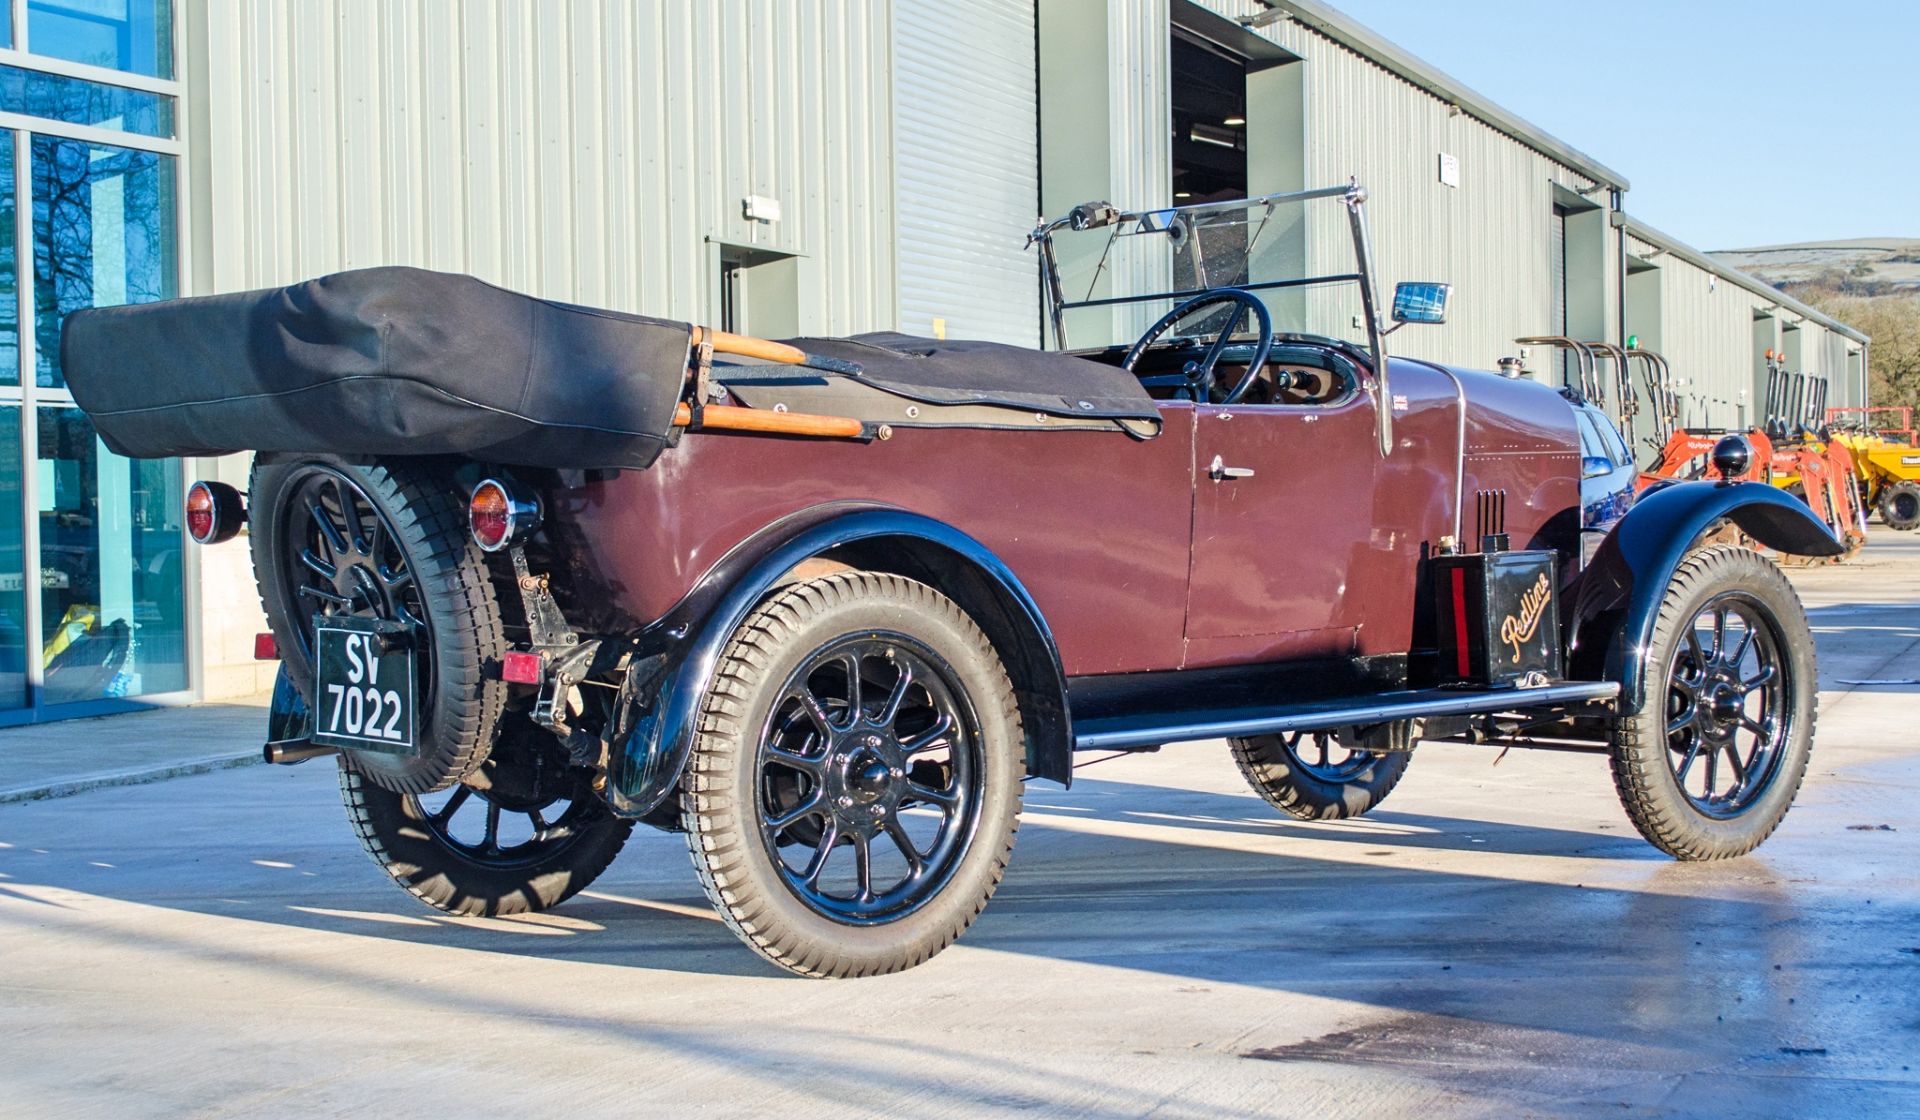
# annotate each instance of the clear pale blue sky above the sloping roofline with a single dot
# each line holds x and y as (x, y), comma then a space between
(1739, 124)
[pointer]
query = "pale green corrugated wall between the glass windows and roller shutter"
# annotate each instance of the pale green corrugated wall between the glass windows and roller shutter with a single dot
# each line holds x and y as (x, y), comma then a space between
(590, 151)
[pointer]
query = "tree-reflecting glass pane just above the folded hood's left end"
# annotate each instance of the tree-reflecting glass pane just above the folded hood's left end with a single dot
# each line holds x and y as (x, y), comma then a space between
(103, 235)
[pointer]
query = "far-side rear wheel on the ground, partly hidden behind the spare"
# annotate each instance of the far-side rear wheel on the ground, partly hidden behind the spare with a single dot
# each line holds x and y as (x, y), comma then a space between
(523, 835)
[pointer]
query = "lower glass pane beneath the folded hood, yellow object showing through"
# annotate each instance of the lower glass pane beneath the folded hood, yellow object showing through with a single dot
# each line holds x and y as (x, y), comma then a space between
(112, 610)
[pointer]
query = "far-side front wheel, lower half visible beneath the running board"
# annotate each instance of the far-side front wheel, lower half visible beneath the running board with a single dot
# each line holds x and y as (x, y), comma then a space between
(1326, 775)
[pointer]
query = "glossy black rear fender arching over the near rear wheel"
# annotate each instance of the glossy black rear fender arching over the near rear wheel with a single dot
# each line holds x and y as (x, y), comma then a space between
(648, 766)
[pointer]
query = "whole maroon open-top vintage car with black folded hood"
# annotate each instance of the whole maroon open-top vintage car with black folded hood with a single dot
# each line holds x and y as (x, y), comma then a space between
(539, 573)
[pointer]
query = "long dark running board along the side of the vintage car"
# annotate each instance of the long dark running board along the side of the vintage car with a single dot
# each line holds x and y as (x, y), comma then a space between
(1132, 731)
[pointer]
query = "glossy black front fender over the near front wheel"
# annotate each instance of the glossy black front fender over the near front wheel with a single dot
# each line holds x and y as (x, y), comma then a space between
(1618, 598)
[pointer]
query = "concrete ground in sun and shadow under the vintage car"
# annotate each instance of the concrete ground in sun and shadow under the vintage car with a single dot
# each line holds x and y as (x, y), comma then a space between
(1495, 942)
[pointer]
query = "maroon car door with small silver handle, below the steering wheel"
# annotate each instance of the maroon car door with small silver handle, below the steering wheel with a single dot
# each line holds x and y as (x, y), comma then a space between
(1284, 514)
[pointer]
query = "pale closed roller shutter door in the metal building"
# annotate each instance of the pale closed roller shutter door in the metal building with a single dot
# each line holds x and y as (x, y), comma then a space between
(967, 168)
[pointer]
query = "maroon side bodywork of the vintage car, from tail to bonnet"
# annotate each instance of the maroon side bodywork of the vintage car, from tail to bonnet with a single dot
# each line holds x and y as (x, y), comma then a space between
(1138, 558)
